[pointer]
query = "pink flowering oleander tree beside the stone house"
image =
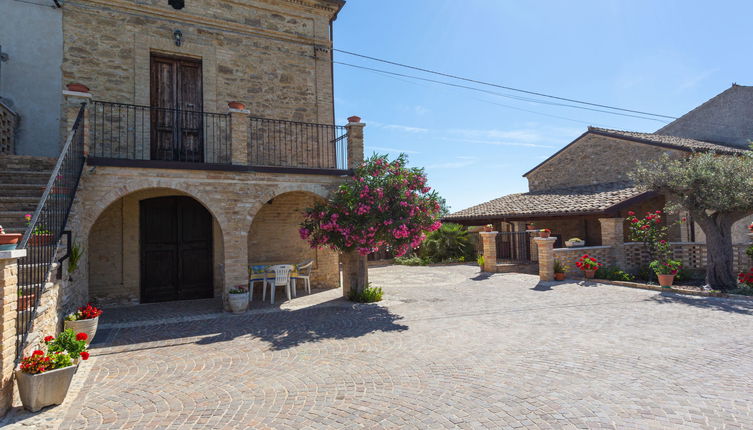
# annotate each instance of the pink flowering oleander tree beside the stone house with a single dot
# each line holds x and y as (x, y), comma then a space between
(384, 205)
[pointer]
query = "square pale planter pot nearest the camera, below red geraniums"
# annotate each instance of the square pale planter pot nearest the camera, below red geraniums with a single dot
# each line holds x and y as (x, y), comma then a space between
(44, 389)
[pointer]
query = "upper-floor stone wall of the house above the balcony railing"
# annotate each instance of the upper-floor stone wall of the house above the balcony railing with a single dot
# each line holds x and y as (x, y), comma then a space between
(264, 54)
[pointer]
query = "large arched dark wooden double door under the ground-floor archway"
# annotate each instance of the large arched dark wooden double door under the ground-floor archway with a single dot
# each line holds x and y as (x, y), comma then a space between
(176, 250)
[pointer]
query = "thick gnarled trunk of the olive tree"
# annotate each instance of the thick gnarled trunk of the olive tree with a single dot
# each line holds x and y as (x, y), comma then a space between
(718, 230)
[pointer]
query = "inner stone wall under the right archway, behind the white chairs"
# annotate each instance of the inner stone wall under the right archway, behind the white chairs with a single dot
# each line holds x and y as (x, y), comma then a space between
(274, 238)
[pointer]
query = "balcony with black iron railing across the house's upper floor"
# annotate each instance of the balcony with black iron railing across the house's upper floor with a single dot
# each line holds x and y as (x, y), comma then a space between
(145, 136)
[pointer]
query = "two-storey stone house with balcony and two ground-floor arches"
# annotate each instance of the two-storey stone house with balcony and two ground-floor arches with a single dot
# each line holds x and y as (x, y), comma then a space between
(207, 127)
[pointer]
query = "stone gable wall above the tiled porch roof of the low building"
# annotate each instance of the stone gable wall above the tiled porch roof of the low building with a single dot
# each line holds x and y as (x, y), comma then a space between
(593, 159)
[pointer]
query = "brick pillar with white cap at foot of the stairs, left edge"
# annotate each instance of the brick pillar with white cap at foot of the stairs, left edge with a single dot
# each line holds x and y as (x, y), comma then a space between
(8, 303)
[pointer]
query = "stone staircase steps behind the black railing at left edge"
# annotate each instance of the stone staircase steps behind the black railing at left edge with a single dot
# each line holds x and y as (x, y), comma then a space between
(22, 182)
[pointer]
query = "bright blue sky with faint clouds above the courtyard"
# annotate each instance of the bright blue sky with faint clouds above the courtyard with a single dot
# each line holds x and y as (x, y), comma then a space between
(663, 57)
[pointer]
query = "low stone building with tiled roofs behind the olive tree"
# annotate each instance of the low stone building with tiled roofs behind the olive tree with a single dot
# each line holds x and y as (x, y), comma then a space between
(577, 190)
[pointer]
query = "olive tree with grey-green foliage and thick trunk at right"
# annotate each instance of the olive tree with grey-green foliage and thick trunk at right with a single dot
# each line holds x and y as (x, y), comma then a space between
(716, 190)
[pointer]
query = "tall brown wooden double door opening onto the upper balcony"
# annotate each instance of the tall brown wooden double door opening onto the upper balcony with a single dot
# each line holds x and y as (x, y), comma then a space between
(176, 109)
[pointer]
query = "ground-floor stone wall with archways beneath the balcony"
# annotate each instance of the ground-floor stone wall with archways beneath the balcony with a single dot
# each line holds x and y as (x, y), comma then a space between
(233, 198)
